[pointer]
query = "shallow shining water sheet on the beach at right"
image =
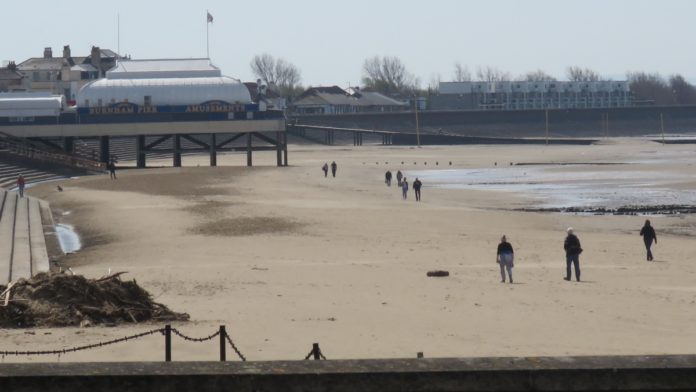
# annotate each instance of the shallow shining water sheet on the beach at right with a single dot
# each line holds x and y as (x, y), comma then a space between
(554, 186)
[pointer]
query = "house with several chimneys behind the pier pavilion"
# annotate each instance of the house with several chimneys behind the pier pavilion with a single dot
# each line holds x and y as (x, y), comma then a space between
(67, 74)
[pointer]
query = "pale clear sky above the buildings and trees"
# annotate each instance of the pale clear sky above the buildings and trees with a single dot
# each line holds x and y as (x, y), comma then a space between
(329, 40)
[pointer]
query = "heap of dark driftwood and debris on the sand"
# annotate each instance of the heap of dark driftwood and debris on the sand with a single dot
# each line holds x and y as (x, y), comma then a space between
(61, 300)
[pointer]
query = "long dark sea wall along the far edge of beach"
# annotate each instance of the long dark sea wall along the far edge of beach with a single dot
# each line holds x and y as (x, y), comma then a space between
(631, 121)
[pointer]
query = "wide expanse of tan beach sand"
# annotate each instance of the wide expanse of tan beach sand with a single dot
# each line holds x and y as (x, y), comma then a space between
(285, 257)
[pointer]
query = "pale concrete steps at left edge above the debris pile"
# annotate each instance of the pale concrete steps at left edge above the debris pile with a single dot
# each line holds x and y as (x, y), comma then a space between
(23, 251)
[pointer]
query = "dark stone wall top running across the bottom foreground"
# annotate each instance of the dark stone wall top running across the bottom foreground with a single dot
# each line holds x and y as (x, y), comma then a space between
(615, 373)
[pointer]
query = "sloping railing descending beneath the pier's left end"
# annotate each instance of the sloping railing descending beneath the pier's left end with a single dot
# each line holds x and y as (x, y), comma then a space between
(26, 148)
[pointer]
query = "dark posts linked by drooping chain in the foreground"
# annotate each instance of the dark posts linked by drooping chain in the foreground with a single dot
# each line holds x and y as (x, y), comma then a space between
(167, 331)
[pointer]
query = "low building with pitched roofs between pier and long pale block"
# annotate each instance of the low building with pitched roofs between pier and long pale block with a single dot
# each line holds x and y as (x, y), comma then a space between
(335, 100)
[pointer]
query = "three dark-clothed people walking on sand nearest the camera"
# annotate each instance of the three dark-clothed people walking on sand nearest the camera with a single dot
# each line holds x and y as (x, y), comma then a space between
(505, 255)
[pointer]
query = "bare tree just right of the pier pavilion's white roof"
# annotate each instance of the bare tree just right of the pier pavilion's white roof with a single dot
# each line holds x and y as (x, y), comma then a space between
(279, 73)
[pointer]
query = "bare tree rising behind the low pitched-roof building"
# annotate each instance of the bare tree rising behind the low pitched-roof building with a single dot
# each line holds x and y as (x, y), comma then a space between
(388, 75)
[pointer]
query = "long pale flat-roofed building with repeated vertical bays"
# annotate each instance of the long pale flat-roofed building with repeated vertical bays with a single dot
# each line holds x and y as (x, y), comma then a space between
(531, 95)
